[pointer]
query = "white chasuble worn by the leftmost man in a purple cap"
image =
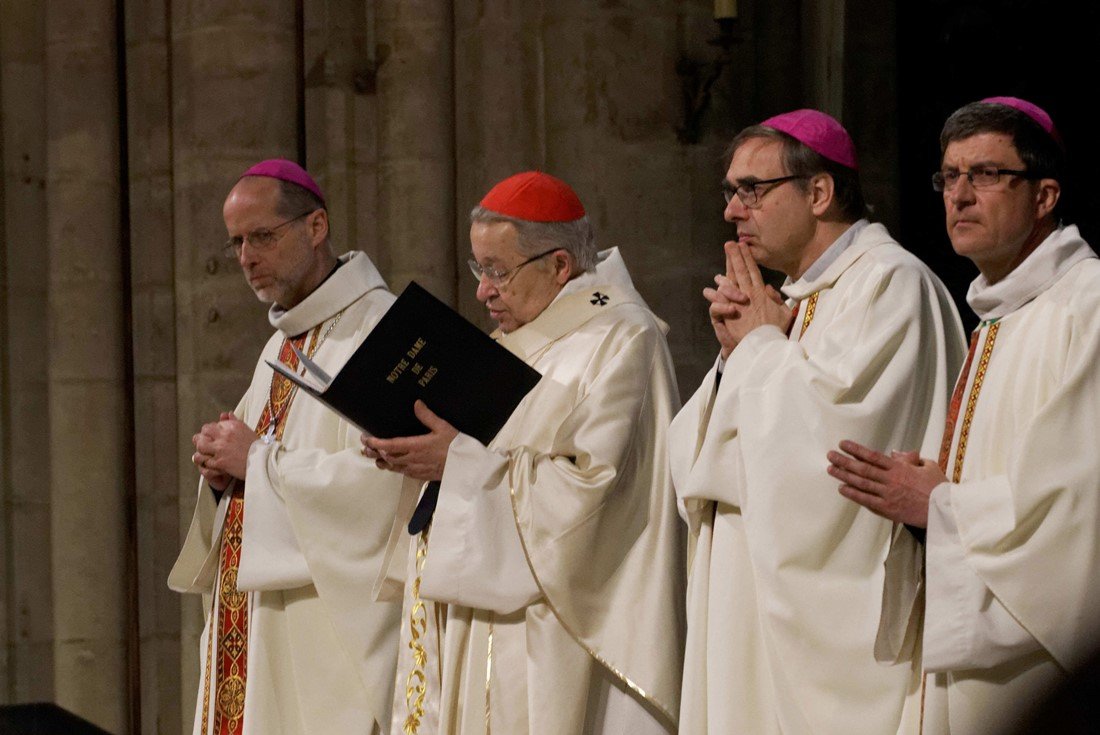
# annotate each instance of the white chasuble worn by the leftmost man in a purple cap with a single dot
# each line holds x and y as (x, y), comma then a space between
(320, 652)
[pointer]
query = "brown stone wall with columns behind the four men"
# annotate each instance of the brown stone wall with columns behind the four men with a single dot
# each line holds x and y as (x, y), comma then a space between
(124, 124)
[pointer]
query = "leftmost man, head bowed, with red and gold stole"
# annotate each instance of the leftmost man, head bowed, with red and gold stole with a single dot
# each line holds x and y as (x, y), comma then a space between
(287, 556)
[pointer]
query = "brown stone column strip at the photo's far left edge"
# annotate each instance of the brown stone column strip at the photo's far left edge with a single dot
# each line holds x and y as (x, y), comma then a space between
(27, 673)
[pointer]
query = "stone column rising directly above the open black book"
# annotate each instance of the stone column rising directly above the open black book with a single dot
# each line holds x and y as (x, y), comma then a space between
(416, 144)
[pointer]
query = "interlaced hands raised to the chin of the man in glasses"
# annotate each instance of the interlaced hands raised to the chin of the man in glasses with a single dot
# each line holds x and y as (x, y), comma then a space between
(742, 302)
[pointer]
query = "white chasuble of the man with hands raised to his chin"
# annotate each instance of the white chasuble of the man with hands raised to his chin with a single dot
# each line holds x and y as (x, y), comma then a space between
(787, 577)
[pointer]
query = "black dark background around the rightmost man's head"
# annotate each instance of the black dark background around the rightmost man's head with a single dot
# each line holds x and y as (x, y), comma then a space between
(953, 53)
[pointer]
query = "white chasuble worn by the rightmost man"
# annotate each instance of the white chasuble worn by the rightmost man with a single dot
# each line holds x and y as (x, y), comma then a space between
(1014, 545)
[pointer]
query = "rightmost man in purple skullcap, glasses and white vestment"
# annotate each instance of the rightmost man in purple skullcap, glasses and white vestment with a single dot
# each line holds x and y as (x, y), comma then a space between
(1013, 508)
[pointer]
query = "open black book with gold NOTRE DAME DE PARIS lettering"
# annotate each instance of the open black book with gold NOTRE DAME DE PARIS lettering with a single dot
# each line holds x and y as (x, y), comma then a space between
(422, 349)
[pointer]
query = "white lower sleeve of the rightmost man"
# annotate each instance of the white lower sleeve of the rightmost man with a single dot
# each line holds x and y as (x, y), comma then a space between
(965, 626)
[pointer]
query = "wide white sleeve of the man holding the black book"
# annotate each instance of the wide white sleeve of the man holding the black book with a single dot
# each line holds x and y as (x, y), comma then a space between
(476, 557)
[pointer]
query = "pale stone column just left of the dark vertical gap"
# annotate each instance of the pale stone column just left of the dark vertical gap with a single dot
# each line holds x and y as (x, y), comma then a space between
(87, 375)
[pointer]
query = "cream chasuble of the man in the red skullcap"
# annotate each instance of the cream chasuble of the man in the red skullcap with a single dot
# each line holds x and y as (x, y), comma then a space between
(557, 550)
